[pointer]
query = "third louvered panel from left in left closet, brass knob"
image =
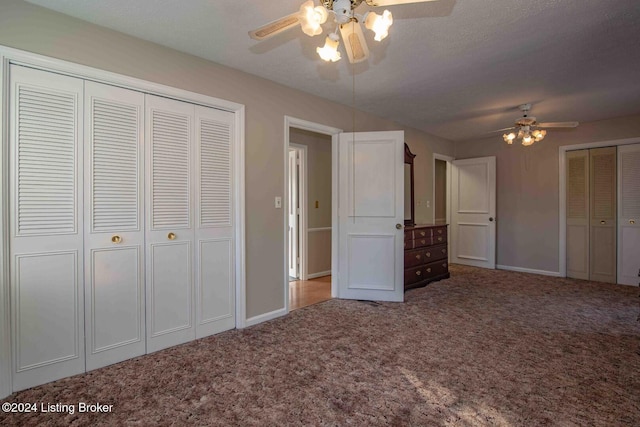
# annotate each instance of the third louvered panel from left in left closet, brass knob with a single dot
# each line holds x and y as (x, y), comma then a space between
(170, 225)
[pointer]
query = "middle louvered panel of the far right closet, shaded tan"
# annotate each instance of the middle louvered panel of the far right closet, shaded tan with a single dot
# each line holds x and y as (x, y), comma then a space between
(602, 215)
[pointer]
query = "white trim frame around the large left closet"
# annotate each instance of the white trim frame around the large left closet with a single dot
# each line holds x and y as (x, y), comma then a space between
(19, 57)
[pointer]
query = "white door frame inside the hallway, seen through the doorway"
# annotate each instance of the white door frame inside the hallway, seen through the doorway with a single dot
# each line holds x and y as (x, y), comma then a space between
(302, 152)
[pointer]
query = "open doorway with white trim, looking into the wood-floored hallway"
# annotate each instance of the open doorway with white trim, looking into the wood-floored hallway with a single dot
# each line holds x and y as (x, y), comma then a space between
(309, 219)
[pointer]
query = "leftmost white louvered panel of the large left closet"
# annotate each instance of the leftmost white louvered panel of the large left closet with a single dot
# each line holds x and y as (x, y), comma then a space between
(46, 226)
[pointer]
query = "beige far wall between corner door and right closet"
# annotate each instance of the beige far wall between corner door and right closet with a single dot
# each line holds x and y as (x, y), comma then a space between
(528, 189)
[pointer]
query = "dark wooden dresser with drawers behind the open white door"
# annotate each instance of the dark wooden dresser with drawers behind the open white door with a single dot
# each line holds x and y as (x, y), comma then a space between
(425, 255)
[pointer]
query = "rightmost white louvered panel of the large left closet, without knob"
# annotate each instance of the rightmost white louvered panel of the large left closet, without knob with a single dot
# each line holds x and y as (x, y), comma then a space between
(215, 286)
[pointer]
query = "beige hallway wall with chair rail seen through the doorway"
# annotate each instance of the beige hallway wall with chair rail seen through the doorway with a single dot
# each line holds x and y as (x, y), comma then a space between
(318, 189)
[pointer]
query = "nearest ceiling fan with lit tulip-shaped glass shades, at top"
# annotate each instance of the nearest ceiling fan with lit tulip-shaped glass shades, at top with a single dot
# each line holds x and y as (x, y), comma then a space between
(311, 17)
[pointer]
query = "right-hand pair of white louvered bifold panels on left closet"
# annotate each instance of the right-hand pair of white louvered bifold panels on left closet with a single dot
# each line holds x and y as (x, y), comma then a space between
(190, 285)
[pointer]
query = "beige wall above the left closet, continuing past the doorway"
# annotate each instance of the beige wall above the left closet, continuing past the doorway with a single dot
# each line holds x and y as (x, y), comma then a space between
(31, 28)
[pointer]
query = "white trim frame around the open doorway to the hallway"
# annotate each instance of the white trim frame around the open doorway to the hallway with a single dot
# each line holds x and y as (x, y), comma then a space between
(293, 122)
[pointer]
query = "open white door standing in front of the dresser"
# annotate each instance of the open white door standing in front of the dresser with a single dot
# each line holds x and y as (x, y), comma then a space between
(370, 216)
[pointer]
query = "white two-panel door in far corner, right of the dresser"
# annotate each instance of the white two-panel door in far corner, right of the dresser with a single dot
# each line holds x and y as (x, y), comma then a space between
(473, 217)
